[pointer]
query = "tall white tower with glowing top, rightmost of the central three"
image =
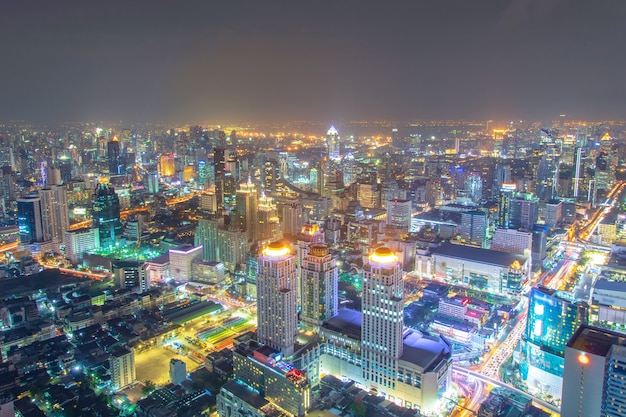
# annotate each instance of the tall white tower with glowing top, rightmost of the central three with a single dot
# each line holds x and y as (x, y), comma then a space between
(383, 322)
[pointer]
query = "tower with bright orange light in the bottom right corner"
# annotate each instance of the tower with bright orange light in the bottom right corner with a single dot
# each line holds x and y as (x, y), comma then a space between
(593, 375)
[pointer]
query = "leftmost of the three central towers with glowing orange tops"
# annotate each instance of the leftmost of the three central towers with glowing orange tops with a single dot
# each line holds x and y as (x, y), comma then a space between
(277, 311)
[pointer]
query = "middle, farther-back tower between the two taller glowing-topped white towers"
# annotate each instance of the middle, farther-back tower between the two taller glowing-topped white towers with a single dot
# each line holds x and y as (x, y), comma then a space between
(319, 286)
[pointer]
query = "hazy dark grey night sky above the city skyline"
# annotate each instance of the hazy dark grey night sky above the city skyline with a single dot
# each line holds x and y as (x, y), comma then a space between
(336, 60)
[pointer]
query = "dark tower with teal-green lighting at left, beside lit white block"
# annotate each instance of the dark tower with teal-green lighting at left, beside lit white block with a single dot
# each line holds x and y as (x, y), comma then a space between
(105, 211)
